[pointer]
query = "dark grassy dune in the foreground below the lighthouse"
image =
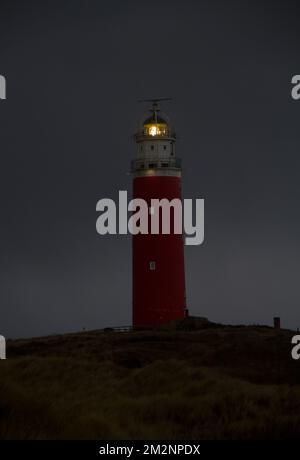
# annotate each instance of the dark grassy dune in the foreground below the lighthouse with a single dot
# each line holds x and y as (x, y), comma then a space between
(219, 383)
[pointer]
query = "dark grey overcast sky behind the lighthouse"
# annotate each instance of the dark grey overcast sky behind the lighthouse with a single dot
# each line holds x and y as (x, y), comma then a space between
(74, 71)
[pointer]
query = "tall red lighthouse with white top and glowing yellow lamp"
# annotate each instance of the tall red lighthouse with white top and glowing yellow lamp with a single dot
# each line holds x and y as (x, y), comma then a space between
(158, 259)
